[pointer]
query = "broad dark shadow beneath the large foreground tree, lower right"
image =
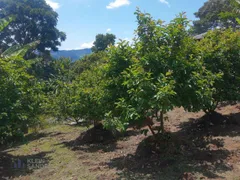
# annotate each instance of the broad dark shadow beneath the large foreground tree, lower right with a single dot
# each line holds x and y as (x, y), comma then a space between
(193, 149)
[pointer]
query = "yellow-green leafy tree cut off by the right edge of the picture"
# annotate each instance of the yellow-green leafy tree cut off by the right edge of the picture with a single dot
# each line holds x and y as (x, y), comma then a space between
(220, 50)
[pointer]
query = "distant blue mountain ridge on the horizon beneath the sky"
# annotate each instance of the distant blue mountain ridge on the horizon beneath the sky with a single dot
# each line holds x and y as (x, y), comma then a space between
(72, 54)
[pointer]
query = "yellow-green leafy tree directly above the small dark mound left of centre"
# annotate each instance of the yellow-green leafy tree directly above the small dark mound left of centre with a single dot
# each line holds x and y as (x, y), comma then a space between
(90, 95)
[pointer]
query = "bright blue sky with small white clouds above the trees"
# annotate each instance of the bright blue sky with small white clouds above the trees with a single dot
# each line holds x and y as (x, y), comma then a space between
(81, 20)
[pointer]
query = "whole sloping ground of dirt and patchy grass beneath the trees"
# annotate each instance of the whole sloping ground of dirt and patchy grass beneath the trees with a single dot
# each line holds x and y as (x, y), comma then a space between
(195, 147)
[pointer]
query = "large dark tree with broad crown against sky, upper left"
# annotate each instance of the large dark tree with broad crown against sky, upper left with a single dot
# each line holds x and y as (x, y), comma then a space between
(34, 20)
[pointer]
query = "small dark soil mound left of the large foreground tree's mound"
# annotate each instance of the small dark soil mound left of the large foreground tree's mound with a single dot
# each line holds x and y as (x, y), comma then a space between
(97, 134)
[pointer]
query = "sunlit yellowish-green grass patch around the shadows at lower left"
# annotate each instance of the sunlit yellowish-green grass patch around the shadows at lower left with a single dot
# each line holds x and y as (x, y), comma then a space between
(63, 162)
